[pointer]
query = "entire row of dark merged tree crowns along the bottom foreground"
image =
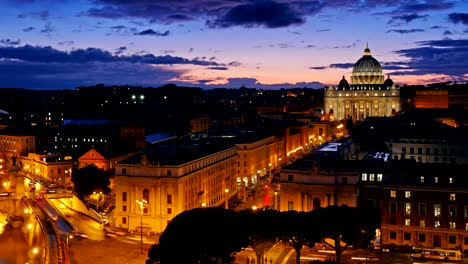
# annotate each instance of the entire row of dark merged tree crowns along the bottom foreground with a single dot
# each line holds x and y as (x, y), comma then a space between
(215, 235)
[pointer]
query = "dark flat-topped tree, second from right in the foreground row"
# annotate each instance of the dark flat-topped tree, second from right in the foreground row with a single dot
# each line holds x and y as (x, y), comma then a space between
(298, 229)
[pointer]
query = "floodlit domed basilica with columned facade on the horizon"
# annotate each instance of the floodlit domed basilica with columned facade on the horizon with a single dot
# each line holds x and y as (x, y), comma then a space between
(369, 94)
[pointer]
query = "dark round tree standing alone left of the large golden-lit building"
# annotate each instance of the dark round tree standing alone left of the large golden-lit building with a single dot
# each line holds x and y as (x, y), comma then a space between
(90, 179)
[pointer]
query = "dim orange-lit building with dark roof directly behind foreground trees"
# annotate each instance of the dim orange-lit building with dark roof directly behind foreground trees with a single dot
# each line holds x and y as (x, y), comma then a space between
(318, 180)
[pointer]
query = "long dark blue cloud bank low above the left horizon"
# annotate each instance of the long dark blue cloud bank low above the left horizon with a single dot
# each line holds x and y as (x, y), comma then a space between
(43, 75)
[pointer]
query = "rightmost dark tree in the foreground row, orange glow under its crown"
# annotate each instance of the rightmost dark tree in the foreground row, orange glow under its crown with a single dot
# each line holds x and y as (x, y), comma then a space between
(338, 227)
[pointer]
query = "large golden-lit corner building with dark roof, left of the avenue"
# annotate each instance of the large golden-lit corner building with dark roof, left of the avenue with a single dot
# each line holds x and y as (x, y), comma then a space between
(171, 177)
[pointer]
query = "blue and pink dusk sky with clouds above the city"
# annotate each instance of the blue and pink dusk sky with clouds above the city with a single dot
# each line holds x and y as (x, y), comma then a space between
(270, 44)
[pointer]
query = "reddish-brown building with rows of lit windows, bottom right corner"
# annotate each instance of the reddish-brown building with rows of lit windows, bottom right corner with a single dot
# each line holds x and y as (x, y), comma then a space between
(420, 204)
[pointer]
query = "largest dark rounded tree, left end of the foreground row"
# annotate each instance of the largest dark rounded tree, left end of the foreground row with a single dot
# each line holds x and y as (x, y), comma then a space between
(201, 235)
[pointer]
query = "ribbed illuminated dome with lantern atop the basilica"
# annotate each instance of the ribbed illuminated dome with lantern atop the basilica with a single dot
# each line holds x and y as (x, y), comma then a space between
(367, 70)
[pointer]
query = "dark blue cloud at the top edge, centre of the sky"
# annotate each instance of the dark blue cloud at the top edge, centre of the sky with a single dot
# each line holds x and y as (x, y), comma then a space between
(265, 13)
